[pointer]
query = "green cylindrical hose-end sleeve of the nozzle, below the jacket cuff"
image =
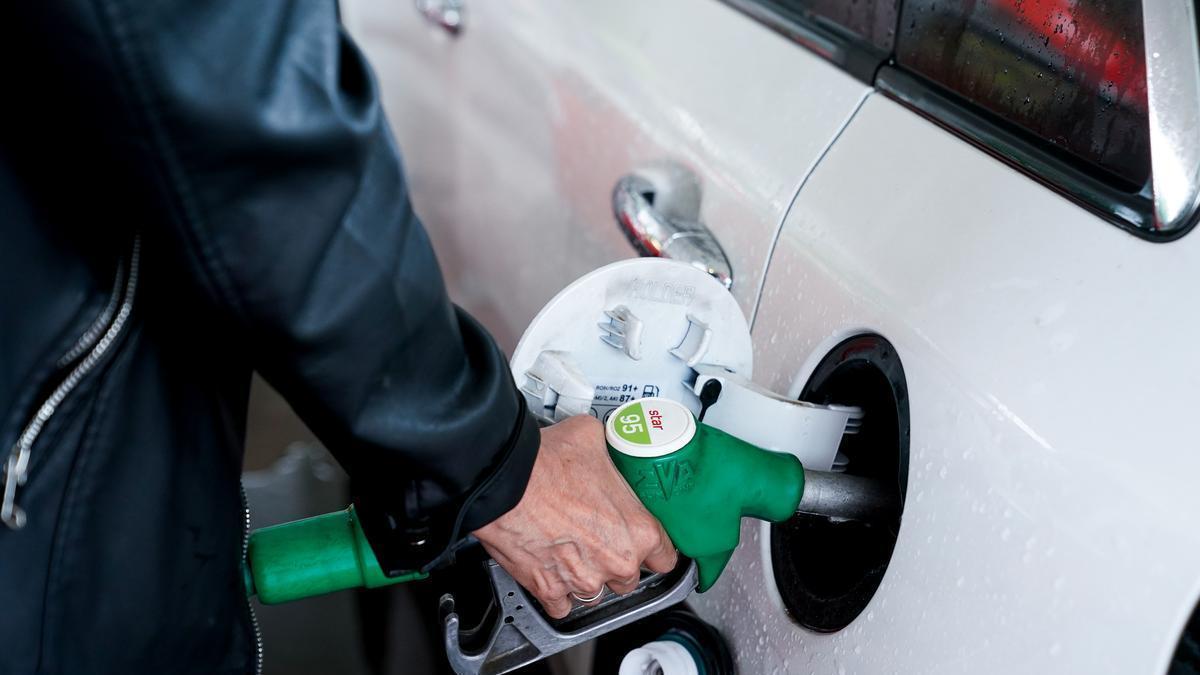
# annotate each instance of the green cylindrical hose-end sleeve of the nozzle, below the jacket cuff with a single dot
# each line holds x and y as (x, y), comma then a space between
(314, 557)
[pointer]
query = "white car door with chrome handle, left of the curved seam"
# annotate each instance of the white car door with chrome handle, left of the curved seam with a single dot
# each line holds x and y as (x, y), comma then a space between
(518, 129)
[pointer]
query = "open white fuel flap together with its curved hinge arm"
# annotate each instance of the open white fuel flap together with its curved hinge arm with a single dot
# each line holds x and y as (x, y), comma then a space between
(653, 327)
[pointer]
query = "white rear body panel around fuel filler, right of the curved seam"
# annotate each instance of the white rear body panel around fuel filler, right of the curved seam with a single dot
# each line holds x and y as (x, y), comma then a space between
(1053, 386)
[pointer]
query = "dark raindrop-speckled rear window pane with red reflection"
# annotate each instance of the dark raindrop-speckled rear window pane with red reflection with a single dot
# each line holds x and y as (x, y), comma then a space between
(1070, 71)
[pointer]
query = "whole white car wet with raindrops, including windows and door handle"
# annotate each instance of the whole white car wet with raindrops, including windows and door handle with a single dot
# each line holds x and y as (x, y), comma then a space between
(988, 202)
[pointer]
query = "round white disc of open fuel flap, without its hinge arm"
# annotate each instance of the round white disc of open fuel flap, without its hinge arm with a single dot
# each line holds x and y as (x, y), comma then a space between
(632, 330)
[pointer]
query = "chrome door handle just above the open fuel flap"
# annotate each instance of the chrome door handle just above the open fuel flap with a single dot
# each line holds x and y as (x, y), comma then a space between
(658, 211)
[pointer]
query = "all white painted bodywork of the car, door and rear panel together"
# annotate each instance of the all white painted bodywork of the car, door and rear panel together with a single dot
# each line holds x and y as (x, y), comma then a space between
(1049, 356)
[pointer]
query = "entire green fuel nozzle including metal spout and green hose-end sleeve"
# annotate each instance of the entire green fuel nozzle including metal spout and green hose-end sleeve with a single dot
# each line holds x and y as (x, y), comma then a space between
(699, 481)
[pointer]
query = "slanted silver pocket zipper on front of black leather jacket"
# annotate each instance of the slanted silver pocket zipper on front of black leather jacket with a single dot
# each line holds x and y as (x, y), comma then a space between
(95, 343)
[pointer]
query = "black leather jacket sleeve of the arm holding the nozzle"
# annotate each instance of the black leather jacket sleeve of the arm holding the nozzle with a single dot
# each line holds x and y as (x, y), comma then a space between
(257, 130)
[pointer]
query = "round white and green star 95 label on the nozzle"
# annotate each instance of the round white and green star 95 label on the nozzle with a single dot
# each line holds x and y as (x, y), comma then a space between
(650, 428)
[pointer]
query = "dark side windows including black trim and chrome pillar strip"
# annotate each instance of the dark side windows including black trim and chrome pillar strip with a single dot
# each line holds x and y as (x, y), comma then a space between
(1060, 89)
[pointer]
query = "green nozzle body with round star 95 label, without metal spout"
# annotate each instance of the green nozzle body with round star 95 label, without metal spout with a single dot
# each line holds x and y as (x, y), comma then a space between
(700, 482)
